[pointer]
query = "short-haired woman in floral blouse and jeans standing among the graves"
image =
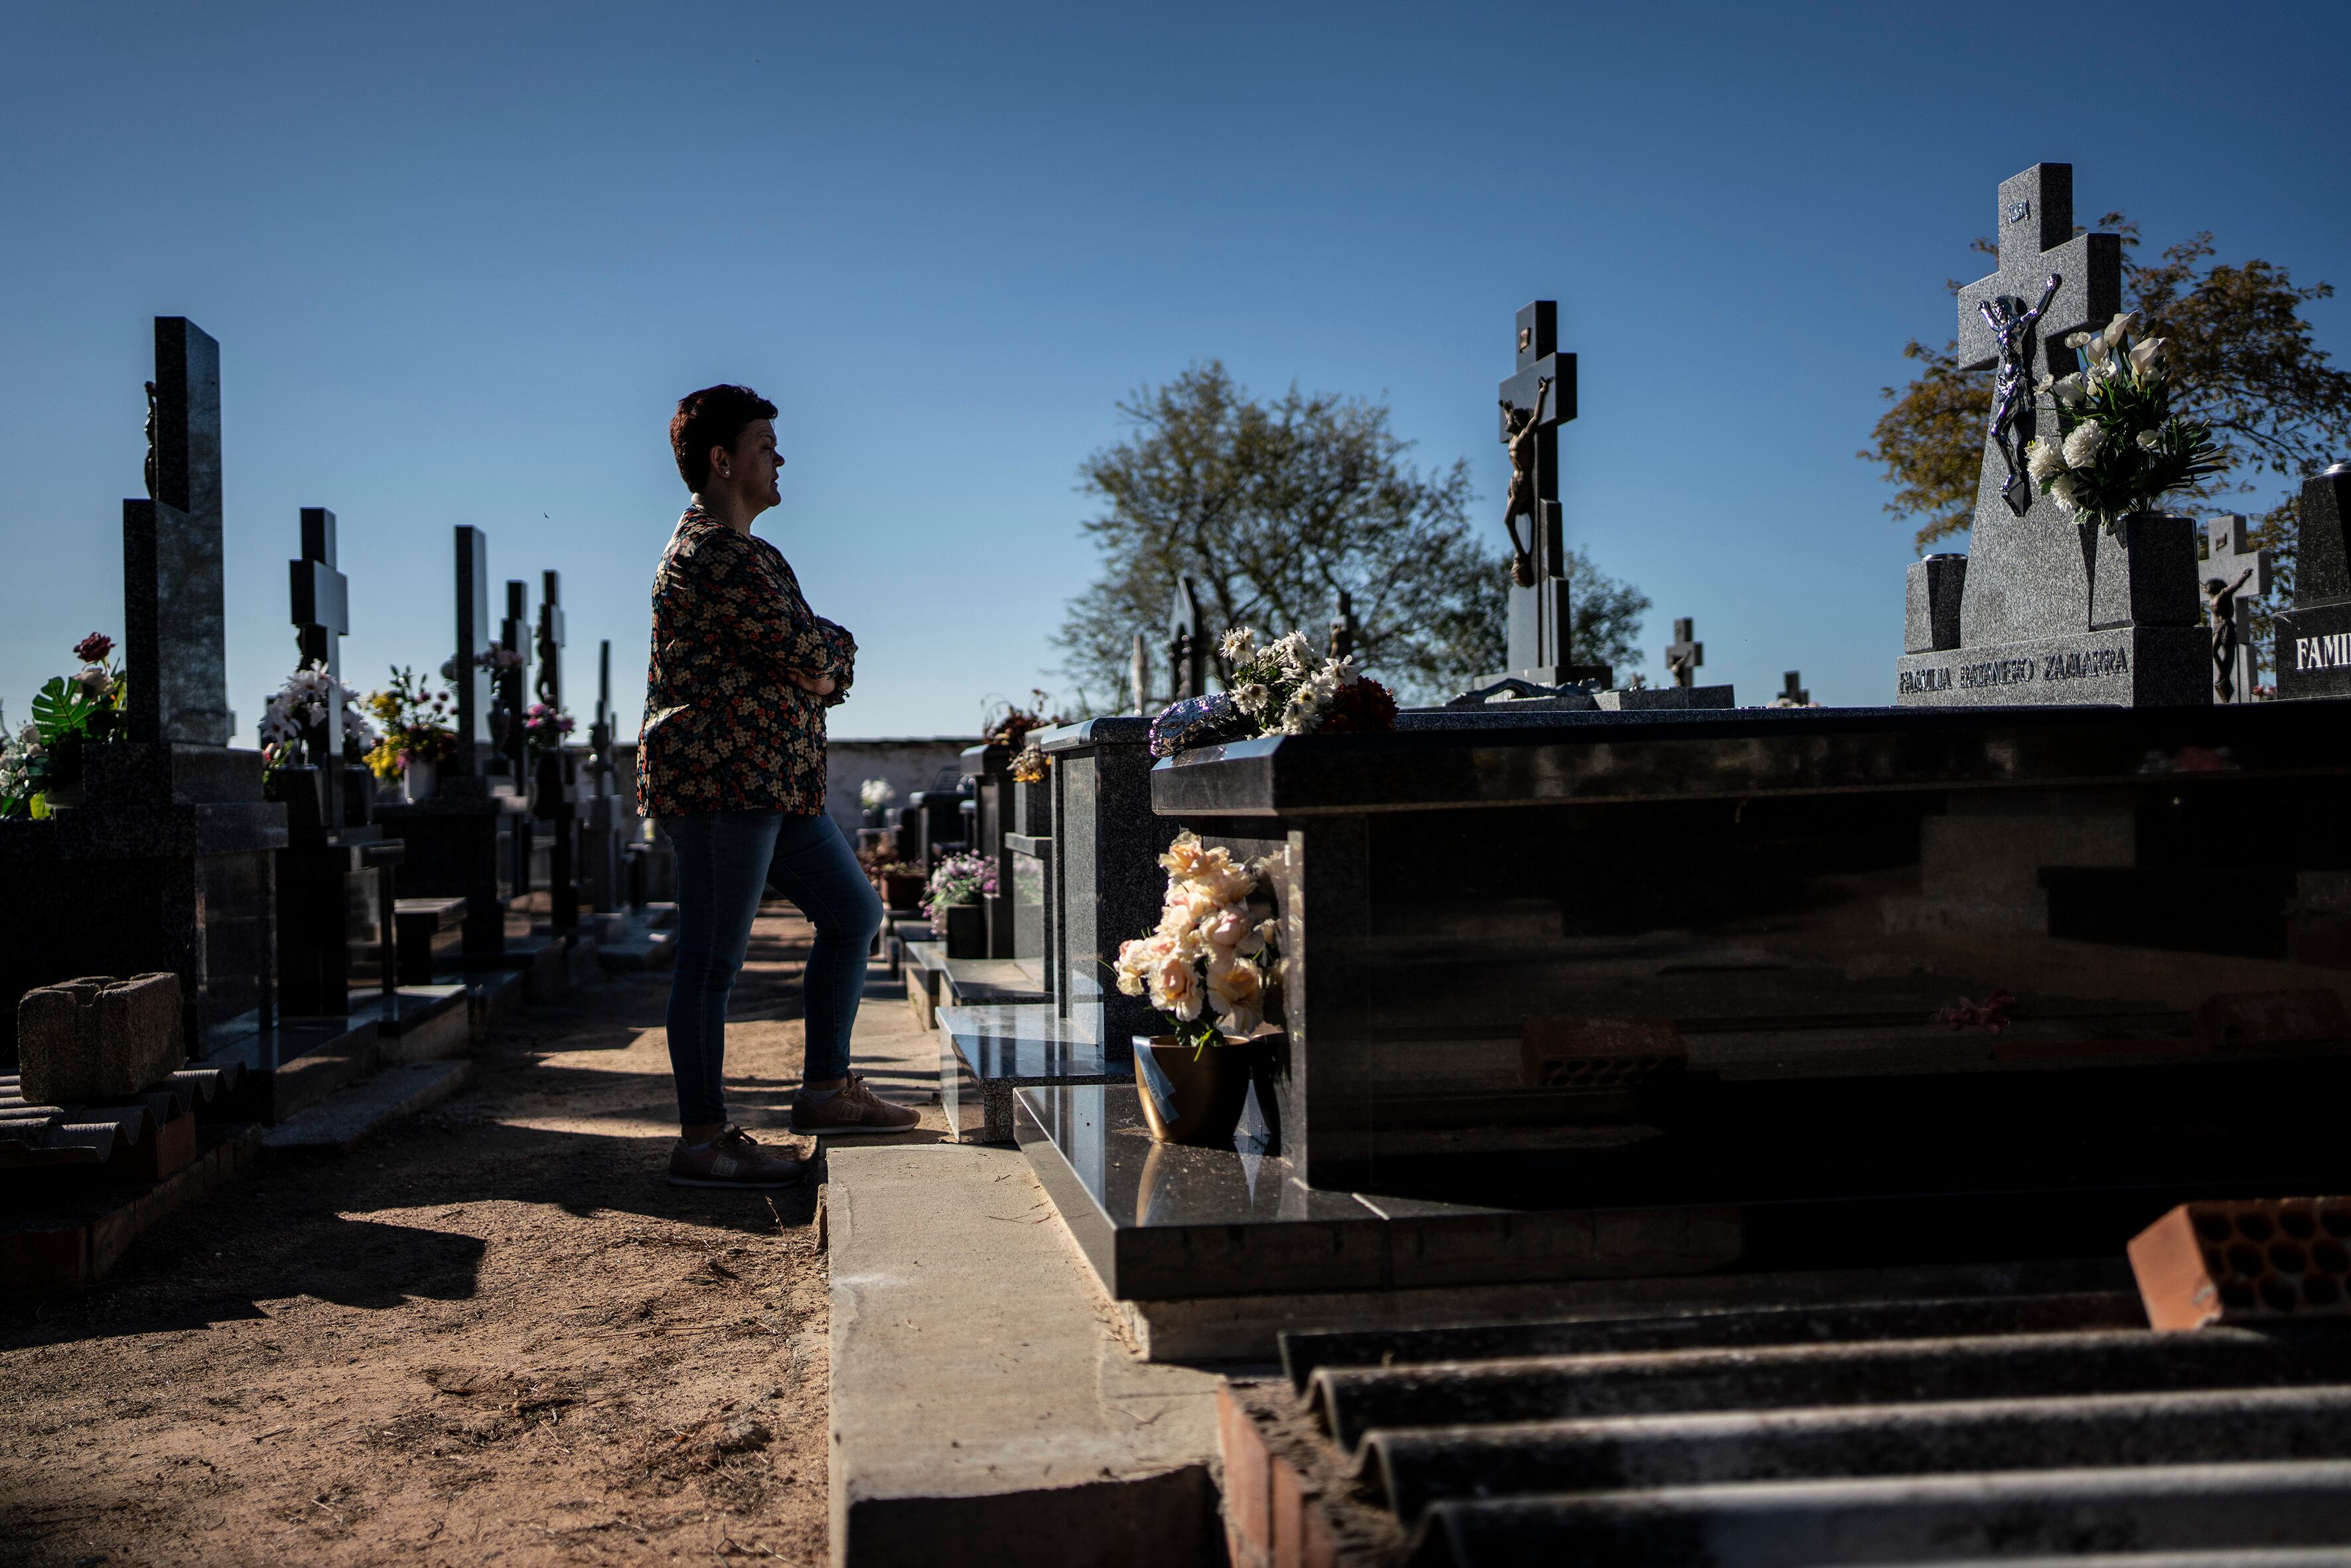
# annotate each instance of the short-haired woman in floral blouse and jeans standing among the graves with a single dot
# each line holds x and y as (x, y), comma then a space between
(732, 765)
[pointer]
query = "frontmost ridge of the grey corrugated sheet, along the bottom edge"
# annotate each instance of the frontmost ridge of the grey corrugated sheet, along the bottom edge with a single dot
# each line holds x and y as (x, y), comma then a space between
(1915, 1520)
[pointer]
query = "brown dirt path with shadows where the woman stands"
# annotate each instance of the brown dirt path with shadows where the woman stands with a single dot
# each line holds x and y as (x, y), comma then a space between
(495, 1334)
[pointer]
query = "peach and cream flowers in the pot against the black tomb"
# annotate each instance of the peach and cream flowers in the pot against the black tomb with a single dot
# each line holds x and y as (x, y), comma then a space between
(1212, 949)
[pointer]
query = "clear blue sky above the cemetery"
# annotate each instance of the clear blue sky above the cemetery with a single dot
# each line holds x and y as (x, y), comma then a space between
(464, 260)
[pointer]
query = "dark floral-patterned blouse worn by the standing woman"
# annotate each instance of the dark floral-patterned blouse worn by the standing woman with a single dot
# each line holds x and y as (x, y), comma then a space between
(725, 730)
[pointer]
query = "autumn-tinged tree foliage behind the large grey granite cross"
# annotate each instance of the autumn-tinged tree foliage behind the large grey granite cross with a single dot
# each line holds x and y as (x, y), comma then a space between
(2246, 368)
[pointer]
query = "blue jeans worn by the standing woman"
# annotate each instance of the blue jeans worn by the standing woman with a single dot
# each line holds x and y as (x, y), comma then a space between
(725, 862)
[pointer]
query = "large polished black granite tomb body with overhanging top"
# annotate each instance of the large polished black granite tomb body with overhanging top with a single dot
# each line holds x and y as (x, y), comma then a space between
(1800, 916)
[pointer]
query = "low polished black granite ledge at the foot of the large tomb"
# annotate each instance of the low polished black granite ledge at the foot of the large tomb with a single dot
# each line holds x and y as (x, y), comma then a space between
(1181, 1224)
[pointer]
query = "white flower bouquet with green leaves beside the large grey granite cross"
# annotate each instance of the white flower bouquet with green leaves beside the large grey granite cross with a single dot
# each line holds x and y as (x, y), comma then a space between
(2119, 448)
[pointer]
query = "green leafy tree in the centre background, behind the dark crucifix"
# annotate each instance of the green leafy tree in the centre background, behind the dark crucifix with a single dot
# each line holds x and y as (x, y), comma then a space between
(1278, 507)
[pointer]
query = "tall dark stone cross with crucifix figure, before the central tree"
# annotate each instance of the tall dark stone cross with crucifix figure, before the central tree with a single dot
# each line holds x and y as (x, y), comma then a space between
(1534, 403)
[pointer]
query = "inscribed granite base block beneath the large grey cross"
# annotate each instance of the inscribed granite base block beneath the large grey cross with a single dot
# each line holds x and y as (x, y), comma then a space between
(2145, 666)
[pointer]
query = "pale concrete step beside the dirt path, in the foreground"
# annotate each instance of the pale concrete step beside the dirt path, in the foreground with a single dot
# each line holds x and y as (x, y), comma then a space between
(982, 1405)
